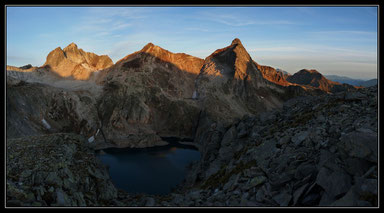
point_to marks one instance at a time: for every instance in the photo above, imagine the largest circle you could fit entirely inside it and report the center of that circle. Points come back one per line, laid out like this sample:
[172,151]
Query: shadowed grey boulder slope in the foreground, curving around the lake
[316,150]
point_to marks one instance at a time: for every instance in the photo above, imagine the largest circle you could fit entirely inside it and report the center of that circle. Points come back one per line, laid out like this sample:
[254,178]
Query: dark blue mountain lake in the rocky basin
[154,170]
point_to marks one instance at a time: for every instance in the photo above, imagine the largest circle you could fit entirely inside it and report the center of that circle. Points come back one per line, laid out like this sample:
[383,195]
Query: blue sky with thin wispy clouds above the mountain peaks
[333,40]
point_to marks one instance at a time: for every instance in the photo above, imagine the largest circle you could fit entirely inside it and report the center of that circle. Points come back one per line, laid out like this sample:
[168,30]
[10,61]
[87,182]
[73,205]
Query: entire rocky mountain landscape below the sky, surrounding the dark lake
[266,137]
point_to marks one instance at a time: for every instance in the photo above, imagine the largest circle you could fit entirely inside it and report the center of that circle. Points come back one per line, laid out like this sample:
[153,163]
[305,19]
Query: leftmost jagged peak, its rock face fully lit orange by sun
[76,63]
